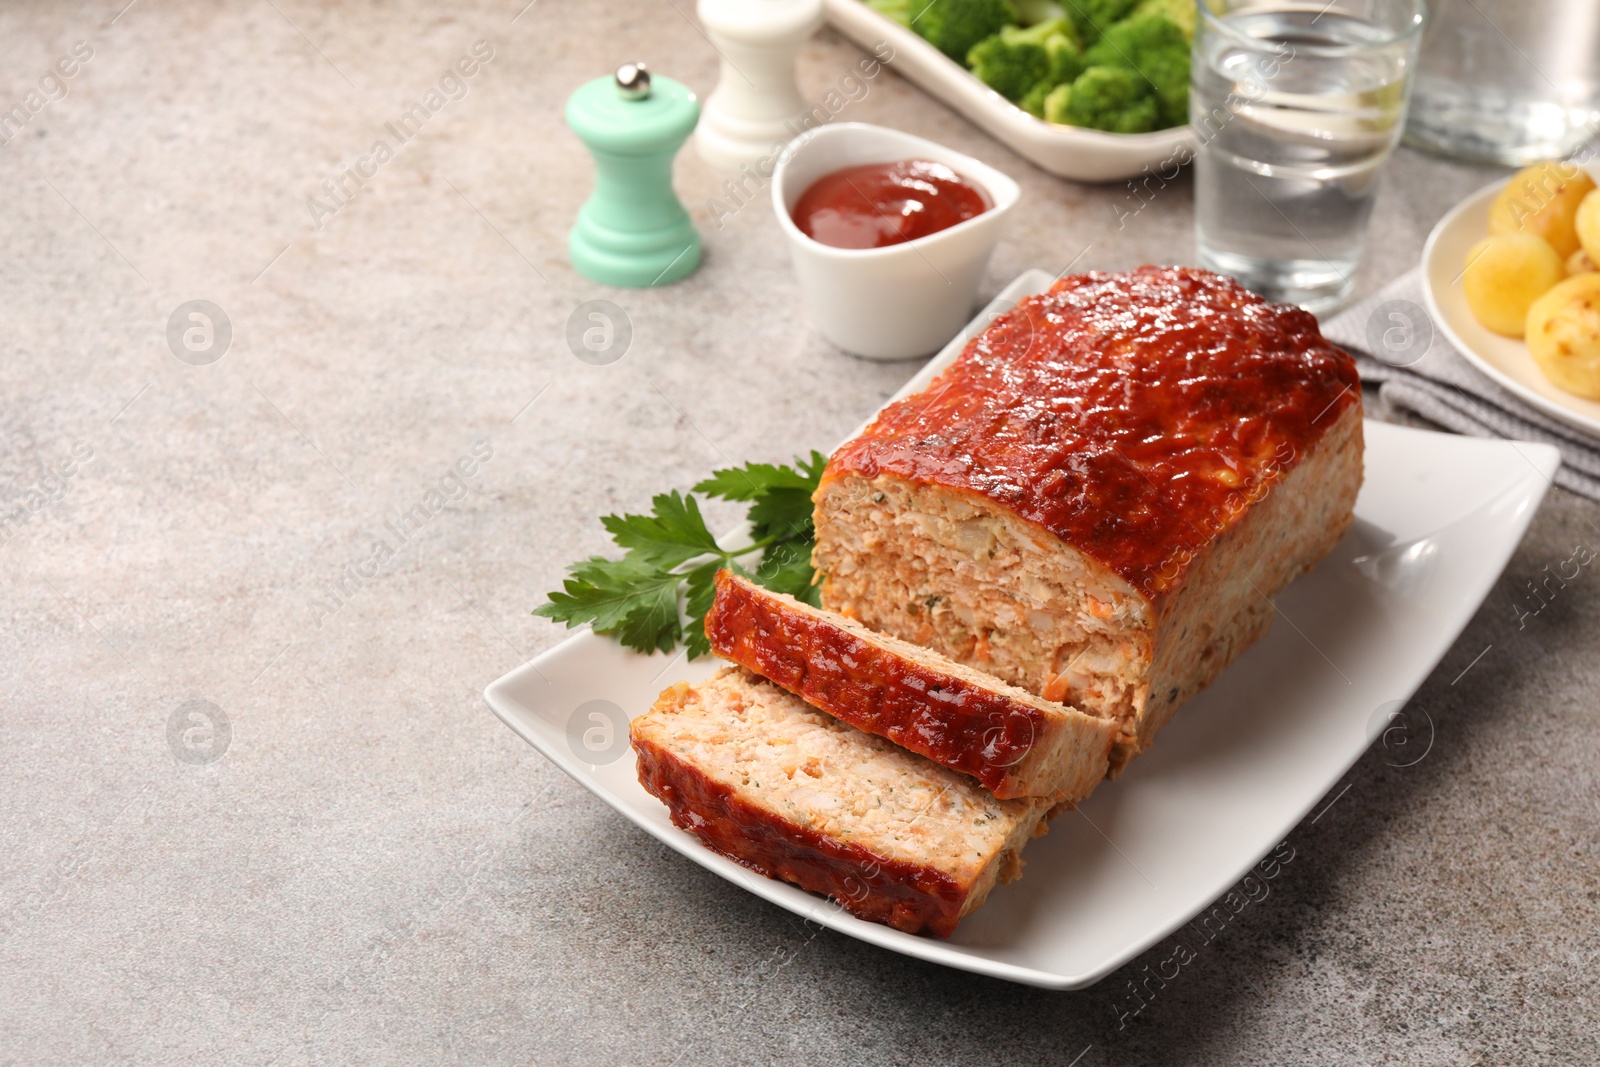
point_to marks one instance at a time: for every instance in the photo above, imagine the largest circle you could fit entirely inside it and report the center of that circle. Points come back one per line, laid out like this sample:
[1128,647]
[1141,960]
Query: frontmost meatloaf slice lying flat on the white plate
[775,785]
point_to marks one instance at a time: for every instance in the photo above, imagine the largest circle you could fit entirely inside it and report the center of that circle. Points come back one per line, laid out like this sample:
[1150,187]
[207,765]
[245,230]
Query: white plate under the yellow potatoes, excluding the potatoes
[1503,359]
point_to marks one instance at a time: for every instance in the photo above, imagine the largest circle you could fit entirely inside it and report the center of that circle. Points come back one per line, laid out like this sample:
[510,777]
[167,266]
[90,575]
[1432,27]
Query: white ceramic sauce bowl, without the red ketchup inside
[902,302]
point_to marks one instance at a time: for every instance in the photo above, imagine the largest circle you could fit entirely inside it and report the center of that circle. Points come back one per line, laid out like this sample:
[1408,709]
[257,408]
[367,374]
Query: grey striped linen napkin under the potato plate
[1426,377]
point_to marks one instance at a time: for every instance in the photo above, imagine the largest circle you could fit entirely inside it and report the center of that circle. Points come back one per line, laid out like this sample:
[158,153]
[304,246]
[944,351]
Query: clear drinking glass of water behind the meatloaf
[1295,108]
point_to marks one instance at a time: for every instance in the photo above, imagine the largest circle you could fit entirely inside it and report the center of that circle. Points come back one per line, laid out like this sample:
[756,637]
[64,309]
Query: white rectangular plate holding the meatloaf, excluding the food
[1226,781]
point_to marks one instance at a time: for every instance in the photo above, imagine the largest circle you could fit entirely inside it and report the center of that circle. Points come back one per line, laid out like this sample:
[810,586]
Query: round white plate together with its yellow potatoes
[1514,311]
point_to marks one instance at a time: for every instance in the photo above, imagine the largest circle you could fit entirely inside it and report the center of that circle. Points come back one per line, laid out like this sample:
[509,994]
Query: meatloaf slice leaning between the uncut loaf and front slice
[1012,741]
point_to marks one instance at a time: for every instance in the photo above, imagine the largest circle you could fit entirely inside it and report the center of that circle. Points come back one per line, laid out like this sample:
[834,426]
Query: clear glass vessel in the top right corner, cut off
[1508,81]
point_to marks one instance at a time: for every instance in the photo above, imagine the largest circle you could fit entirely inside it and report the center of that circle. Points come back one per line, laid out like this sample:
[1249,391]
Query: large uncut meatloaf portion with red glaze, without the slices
[1100,497]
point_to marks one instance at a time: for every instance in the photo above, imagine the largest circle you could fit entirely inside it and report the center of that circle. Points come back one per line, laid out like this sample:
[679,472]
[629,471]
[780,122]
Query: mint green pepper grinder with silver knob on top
[633,231]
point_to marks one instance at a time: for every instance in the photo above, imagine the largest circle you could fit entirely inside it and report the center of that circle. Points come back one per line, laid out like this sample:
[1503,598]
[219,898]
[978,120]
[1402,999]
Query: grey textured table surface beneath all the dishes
[378,871]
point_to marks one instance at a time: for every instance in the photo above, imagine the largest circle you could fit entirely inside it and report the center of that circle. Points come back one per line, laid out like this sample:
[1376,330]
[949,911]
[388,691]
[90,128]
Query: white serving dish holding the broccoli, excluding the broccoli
[1063,151]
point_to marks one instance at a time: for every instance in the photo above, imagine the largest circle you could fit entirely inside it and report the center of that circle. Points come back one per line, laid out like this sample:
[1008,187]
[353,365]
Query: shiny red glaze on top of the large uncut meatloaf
[1132,415]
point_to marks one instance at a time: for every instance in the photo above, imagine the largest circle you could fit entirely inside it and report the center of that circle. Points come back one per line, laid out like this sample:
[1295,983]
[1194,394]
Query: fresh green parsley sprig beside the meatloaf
[660,591]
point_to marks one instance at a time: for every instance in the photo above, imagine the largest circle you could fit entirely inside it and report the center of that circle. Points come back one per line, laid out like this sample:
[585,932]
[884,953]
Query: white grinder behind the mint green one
[756,108]
